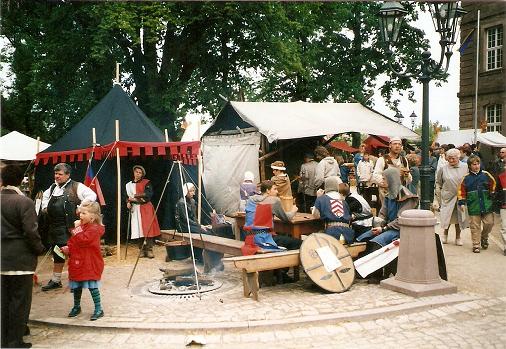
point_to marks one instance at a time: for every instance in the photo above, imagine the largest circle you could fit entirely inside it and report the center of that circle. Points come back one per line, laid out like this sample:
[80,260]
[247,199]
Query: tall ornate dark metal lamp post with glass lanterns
[446,17]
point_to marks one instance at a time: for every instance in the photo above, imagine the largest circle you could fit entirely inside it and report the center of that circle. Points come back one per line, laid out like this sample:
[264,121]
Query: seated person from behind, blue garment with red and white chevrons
[333,211]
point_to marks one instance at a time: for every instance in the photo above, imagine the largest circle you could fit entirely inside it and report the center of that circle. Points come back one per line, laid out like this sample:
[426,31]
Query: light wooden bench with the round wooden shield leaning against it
[252,265]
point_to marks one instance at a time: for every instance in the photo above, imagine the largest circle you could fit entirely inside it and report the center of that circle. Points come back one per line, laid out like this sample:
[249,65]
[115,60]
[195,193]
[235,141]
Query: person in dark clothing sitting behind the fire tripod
[212,260]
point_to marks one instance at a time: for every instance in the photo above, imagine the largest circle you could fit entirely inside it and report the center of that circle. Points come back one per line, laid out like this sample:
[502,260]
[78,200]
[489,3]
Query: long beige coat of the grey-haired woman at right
[448,179]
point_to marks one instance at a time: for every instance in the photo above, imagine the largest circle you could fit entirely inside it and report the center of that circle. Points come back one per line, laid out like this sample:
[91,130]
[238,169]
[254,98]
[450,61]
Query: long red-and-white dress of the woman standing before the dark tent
[143,219]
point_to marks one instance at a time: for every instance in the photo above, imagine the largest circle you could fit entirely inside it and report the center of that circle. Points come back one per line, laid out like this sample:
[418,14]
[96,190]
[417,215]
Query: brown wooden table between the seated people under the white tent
[301,224]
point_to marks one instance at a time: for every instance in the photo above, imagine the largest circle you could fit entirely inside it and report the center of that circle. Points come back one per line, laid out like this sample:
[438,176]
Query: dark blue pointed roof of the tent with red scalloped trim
[116,105]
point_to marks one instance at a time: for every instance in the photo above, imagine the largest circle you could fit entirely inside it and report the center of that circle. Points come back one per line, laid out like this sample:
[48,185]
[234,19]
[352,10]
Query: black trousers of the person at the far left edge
[16,304]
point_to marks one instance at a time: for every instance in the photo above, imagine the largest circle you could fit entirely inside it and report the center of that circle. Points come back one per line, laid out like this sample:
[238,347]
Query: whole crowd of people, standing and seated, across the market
[464,193]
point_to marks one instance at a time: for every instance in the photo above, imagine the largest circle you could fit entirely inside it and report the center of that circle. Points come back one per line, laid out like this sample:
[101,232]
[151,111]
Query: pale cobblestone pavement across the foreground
[287,316]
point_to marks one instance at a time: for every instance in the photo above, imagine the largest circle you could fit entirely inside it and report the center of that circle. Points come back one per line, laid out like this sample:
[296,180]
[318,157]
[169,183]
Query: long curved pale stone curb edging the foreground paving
[359,315]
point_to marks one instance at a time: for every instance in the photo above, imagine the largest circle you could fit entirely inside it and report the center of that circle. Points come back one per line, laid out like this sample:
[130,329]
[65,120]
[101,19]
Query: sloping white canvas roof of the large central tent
[278,120]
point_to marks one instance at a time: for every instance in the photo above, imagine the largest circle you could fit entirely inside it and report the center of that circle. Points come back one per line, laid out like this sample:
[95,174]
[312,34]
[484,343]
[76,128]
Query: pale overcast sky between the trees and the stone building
[443,102]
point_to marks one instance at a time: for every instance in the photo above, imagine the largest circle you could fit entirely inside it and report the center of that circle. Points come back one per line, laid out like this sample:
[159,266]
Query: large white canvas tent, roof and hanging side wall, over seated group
[231,145]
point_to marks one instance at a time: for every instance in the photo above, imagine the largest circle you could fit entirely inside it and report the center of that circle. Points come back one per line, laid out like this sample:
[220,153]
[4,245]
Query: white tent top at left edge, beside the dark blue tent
[16,146]
